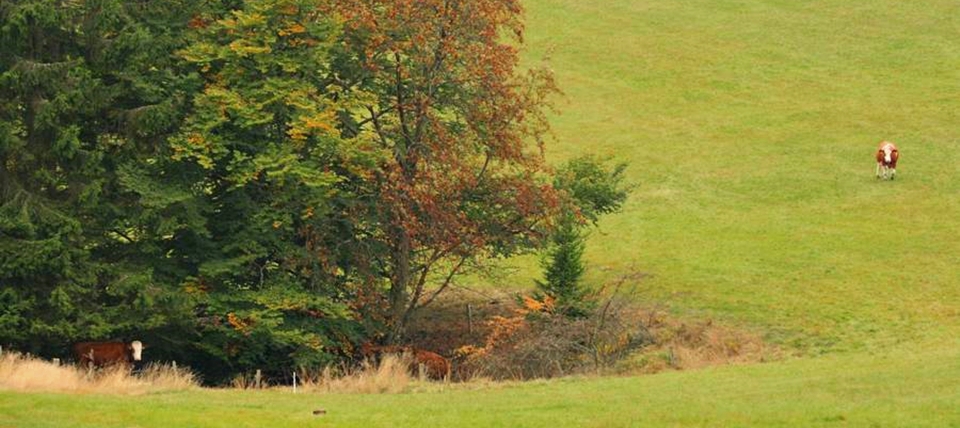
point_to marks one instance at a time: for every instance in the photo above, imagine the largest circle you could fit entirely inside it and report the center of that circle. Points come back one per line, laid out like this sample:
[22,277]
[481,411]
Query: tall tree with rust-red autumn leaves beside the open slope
[436,87]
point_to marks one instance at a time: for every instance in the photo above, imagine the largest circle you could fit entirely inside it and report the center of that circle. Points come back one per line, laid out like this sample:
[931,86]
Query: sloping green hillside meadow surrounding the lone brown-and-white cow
[750,126]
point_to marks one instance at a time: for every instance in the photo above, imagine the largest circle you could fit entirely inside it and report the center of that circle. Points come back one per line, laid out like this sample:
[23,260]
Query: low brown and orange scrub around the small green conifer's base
[617,335]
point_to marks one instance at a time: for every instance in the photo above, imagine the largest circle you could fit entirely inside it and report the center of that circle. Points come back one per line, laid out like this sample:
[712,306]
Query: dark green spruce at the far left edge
[86,92]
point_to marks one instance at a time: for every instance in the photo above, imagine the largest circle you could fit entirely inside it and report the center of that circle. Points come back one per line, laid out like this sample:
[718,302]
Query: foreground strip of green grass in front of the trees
[895,389]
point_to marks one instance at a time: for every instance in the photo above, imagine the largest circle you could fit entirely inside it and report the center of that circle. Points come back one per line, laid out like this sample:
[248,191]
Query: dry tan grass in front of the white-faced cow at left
[27,374]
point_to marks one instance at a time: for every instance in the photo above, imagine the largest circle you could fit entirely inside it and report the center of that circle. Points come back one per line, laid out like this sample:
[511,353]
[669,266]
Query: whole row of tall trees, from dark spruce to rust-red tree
[260,183]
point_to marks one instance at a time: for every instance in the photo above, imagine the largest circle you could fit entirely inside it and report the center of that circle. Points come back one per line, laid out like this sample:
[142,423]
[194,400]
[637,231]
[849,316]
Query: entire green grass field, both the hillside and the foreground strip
[750,127]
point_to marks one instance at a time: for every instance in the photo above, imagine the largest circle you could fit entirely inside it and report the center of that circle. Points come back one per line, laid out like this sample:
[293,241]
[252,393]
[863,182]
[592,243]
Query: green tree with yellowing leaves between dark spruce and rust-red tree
[261,151]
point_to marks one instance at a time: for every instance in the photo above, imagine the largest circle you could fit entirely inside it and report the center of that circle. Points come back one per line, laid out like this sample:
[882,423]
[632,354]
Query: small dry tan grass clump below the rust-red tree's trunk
[390,376]
